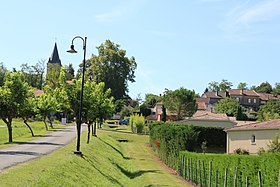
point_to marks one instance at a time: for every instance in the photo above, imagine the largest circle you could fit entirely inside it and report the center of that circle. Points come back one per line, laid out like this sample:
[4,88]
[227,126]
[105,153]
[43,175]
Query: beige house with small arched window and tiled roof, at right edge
[252,137]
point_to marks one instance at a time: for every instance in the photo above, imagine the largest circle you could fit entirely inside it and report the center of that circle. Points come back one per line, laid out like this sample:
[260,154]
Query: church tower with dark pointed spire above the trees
[53,68]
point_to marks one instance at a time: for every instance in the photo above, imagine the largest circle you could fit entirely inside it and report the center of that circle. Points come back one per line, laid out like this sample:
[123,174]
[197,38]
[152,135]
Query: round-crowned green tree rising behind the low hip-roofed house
[180,101]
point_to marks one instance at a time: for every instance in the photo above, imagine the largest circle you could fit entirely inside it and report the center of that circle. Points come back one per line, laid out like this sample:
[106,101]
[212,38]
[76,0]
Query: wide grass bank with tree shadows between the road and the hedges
[106,162]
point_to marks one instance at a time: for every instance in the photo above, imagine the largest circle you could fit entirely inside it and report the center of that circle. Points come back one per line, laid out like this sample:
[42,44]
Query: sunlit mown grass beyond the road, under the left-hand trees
[21,133]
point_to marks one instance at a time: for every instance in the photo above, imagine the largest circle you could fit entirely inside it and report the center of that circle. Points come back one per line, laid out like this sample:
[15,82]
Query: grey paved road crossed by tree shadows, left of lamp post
[42,146]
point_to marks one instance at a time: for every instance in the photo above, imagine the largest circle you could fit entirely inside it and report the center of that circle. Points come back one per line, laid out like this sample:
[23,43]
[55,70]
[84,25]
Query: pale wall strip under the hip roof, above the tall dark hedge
[209,123]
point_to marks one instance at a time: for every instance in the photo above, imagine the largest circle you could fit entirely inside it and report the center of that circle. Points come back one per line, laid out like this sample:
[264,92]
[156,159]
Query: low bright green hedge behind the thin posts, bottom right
[240,165]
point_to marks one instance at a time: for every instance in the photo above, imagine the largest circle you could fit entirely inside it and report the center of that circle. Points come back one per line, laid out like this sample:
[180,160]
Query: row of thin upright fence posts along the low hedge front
[202,174]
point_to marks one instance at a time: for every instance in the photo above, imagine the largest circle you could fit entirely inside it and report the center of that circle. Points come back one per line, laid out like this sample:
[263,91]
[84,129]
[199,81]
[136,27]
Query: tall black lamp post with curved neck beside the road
[79,124]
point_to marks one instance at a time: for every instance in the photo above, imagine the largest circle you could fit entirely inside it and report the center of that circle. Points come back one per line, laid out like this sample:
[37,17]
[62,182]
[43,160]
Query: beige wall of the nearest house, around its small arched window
[243,140]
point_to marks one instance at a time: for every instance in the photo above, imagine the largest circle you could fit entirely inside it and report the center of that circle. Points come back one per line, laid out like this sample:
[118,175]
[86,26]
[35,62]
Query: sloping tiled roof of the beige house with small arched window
[271,124]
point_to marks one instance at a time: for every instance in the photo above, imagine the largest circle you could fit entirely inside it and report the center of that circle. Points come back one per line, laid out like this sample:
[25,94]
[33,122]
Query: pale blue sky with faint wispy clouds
[175,43]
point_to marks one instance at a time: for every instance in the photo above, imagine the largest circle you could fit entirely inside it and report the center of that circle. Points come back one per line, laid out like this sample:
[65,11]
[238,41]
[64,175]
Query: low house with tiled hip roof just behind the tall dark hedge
[209,119]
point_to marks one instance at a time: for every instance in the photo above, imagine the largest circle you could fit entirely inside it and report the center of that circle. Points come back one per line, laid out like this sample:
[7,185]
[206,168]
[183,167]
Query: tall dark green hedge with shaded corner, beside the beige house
[168,139]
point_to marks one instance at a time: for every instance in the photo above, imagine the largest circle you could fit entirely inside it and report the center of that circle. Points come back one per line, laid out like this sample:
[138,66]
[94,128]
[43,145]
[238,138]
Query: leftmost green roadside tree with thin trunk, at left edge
[13,95]
